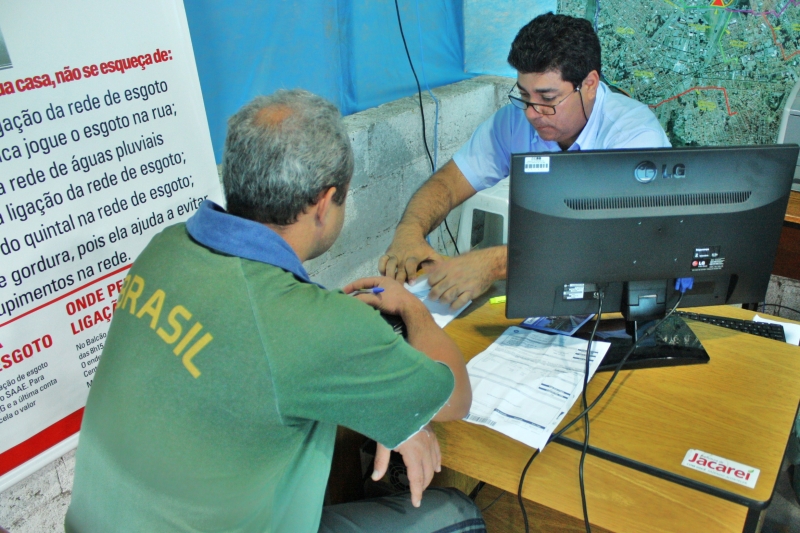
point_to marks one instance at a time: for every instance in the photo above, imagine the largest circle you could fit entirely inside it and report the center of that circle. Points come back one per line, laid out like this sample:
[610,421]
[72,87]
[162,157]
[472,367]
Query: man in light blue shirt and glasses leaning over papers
[558,103]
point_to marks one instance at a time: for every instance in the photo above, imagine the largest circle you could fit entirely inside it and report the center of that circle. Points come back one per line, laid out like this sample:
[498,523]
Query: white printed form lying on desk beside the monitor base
[526,381]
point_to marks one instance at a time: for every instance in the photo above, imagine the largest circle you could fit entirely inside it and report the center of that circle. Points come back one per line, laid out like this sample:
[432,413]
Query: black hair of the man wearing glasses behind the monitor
[557,42]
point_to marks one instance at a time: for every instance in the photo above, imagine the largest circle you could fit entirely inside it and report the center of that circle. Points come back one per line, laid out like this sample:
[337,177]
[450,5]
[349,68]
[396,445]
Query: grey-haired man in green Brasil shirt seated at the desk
[226,370]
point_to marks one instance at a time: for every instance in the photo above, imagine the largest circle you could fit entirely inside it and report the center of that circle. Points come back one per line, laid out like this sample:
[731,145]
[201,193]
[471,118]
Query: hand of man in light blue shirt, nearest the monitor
[467,276]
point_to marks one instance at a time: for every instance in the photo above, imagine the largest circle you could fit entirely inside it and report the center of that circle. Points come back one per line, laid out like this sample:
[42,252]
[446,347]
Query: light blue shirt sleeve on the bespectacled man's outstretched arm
[484,159]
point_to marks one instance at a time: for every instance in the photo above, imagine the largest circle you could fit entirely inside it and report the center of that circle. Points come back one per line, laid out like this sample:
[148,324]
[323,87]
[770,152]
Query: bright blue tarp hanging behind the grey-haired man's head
[348,51]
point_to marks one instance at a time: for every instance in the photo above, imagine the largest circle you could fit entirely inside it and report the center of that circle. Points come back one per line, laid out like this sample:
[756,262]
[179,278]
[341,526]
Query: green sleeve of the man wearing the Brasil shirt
[351,369]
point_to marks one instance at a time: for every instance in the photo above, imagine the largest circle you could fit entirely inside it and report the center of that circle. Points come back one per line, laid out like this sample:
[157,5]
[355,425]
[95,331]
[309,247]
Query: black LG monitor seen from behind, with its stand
[626,224]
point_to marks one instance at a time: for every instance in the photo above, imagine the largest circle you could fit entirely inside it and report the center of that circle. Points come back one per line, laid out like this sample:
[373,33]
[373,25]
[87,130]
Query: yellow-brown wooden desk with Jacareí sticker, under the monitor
[741,406]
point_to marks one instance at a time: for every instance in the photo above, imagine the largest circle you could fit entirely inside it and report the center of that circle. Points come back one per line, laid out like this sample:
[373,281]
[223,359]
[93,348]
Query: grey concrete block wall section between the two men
[391,164]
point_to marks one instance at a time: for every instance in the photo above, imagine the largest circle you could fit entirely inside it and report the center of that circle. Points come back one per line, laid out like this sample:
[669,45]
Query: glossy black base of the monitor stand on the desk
[673,343]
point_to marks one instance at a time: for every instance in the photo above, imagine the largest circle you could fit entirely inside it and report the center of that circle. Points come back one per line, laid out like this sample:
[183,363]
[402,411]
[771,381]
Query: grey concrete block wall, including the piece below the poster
[390,165]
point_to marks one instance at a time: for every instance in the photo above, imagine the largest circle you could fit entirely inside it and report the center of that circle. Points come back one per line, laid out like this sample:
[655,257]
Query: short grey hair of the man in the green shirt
[274,170]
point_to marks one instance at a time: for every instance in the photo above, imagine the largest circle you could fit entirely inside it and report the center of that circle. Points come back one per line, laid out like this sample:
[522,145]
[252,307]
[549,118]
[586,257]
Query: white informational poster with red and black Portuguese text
[103,143]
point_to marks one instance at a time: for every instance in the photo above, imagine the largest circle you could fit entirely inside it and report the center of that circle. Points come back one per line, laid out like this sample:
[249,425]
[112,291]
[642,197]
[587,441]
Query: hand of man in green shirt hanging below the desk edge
[422,458]
